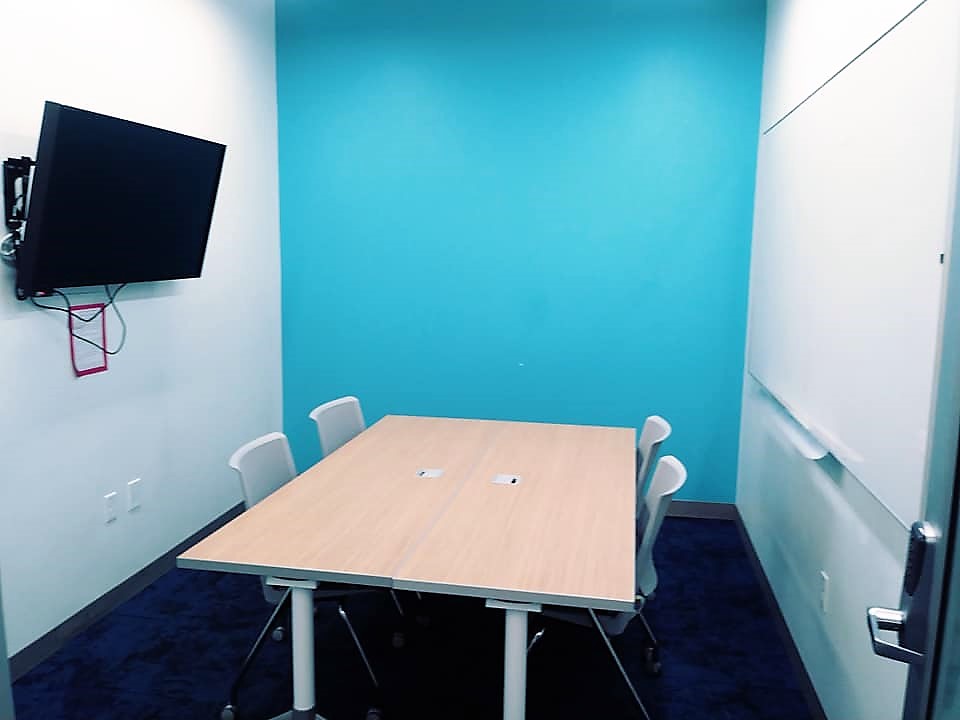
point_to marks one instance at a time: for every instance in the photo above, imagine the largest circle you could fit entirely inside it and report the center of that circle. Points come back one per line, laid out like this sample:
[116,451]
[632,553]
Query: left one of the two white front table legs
[301,637]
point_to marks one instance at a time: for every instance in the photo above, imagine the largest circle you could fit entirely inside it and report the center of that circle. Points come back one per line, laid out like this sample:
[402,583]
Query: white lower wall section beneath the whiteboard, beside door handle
[805,517]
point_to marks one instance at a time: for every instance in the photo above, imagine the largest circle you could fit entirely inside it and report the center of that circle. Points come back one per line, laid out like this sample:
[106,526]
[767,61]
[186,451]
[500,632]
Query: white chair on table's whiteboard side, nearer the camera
[668,478]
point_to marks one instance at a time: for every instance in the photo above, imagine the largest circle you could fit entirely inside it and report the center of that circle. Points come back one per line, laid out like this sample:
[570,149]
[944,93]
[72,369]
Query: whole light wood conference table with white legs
[519,514]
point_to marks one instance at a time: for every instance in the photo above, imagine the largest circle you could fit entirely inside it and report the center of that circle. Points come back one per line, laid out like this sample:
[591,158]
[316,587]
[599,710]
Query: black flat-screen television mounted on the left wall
[114,201]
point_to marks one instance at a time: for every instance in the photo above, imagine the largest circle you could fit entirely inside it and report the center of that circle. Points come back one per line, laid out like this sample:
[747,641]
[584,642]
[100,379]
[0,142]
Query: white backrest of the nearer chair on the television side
[264,465]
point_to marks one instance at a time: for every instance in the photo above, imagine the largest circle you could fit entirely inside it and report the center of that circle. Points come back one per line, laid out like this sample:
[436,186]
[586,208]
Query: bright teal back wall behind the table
[521,210]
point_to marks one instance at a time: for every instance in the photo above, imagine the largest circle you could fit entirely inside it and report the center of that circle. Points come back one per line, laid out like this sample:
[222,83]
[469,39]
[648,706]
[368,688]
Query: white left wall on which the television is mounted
[200,373]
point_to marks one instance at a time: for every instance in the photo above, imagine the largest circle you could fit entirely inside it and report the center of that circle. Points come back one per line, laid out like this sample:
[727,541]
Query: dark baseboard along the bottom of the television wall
[42,648]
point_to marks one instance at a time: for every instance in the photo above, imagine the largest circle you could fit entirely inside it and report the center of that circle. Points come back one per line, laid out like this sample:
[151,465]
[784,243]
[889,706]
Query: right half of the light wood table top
[564,534]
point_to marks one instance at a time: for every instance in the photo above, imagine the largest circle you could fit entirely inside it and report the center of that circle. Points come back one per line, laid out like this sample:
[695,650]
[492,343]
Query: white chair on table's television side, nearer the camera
[264,466]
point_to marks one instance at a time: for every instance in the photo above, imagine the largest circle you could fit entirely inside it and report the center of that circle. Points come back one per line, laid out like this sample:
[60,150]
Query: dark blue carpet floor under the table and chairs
[170,653]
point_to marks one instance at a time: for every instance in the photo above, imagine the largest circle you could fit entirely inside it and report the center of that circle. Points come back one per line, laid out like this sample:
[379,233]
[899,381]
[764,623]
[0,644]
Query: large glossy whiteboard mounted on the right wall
[853,210]
